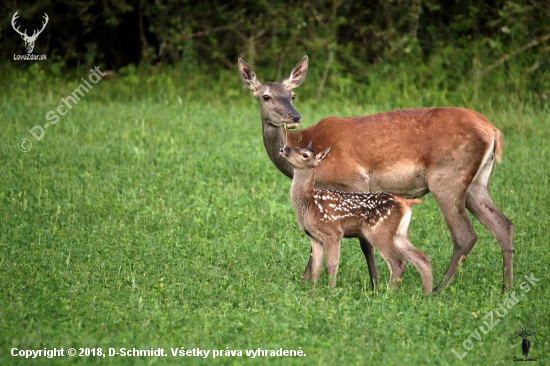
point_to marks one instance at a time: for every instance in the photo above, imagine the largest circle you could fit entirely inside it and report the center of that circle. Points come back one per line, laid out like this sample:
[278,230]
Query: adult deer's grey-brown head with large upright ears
[276,98]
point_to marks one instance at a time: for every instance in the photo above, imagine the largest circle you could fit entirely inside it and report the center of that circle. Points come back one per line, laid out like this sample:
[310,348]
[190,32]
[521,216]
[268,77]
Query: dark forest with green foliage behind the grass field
[444,41]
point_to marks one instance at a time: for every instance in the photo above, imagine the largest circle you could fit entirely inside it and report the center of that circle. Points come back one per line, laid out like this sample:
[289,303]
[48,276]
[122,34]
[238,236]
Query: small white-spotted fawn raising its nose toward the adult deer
[327,216]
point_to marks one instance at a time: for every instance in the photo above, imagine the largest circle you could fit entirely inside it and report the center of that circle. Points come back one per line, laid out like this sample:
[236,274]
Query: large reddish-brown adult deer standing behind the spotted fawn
[447,151]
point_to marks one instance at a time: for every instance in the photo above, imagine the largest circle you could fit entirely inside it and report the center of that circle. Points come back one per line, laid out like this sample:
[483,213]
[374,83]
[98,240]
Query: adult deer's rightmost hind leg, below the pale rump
[479,203]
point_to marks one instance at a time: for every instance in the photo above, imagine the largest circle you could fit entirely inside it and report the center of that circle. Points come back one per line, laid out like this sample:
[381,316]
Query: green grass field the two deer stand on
[147,220]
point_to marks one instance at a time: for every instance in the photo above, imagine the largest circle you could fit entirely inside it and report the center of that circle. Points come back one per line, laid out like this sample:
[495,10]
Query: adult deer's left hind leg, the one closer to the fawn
[450,194]
